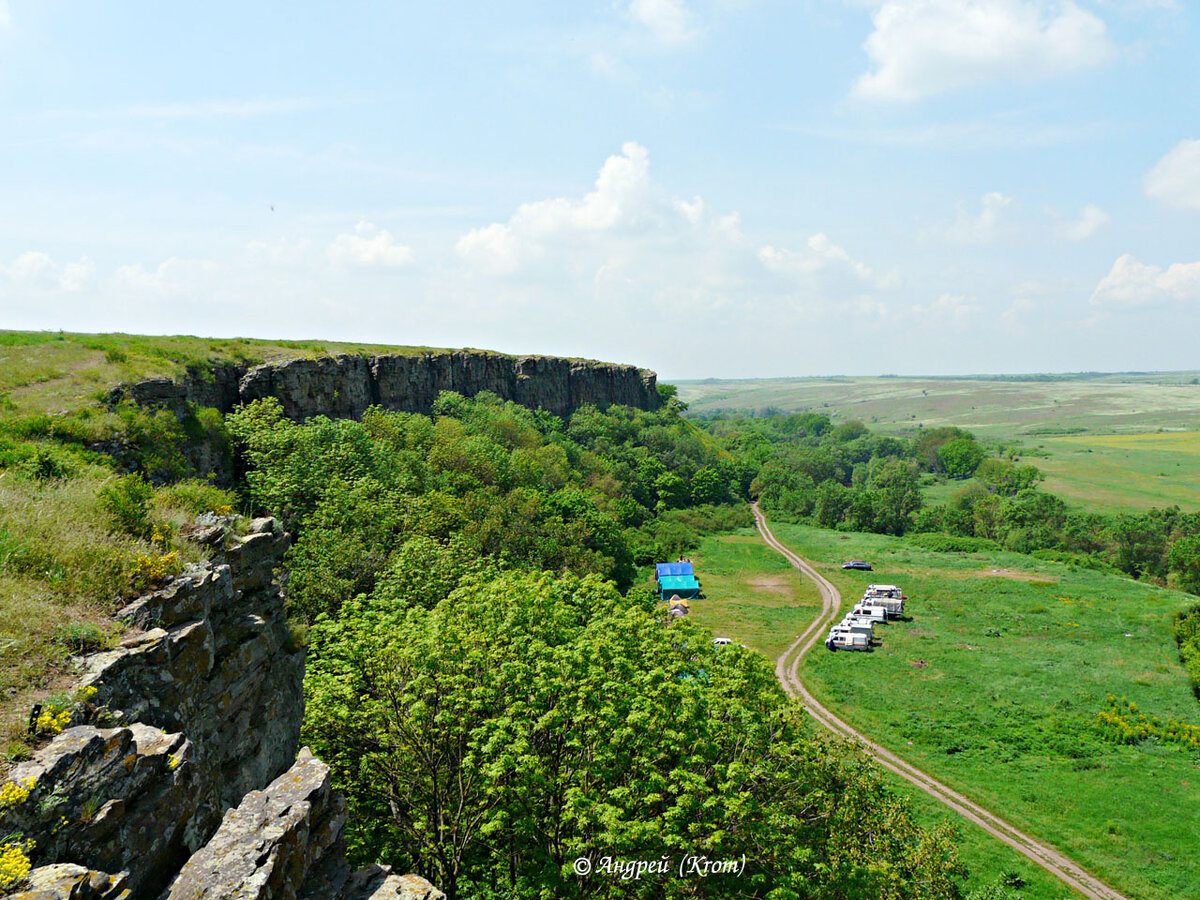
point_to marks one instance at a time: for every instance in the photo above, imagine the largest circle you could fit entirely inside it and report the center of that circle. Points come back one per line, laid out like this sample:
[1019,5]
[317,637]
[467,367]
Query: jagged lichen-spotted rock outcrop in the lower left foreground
[179,773]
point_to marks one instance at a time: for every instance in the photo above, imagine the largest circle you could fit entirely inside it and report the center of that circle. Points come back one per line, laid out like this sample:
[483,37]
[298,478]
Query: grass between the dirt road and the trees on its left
[755,597]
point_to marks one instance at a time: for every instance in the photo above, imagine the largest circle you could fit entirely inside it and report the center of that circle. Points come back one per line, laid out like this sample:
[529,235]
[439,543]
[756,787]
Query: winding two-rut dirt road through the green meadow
[788,671]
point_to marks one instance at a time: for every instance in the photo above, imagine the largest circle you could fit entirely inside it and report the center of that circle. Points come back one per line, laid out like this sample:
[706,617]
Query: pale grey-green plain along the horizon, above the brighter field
[993,409]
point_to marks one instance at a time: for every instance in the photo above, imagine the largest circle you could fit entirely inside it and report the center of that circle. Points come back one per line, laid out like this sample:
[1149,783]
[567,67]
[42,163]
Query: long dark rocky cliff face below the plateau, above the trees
[346,387]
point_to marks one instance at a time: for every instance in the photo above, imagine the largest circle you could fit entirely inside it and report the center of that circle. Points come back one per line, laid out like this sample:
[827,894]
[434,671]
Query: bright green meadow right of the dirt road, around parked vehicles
[1007,718]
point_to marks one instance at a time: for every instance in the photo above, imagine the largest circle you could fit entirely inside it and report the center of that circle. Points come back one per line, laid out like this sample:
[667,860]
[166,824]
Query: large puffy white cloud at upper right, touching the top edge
[926,47]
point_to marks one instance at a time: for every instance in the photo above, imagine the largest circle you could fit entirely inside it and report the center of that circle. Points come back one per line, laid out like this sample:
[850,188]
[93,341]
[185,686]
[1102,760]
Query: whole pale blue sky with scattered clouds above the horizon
[706,188]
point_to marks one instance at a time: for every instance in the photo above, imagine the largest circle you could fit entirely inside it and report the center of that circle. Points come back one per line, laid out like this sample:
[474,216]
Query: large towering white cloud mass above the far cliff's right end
[628,245]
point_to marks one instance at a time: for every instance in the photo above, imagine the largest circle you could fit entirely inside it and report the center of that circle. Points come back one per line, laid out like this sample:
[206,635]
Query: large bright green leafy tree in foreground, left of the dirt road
[575,725]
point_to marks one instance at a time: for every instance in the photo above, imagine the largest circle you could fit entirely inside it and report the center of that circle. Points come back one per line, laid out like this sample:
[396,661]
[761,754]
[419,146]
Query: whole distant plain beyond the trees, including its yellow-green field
[1103,442]
